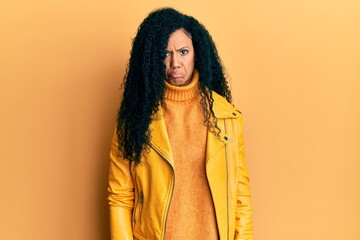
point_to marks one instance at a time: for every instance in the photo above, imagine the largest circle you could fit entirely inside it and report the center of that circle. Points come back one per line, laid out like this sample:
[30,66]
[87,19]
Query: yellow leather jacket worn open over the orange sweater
[140,196]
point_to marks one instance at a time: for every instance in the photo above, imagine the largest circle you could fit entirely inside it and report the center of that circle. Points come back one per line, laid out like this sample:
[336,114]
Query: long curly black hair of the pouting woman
[144,80]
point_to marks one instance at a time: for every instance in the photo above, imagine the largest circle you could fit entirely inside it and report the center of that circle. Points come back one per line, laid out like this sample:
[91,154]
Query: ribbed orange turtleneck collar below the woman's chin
[183,94]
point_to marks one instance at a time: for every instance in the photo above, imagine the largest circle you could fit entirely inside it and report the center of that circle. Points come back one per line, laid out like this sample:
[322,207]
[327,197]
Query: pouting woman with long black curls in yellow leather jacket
[177,168]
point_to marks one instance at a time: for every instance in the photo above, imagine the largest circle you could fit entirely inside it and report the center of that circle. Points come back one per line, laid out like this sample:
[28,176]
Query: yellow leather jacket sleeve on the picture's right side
[243,225]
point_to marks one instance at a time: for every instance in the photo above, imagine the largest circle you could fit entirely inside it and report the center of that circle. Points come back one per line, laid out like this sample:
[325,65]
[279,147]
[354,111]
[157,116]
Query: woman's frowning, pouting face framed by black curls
[180,59]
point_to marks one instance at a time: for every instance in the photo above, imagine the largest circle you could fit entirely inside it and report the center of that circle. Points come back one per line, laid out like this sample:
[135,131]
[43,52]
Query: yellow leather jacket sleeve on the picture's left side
[120,195]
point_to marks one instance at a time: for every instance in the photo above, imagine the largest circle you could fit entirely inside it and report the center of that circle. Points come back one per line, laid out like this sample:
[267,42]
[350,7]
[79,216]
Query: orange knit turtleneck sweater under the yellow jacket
[191,214]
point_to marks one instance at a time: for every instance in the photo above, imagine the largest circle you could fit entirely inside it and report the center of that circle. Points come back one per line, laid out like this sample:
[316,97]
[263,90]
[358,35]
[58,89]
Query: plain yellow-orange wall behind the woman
[294,72]
